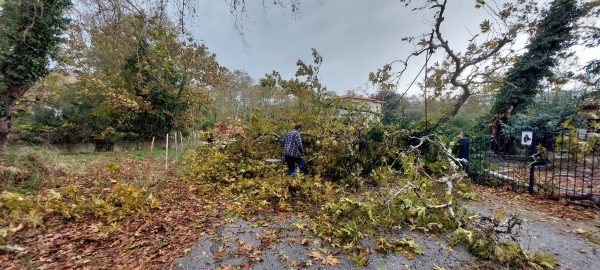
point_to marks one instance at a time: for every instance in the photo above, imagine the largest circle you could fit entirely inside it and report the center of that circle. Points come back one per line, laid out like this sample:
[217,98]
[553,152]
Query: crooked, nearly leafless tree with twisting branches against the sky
[460,73]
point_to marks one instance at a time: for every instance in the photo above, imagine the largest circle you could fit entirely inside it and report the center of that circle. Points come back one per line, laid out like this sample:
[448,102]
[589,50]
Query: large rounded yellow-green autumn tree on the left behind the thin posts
[143,73]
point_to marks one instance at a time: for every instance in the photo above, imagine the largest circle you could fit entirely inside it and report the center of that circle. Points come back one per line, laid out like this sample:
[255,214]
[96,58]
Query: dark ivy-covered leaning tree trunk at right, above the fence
[553,34]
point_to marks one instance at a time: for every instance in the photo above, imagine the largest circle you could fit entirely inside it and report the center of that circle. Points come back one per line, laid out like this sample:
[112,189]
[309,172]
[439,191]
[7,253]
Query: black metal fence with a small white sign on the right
[557,164]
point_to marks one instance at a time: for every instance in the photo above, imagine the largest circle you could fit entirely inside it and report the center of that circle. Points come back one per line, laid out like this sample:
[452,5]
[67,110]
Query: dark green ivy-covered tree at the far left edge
[29,34]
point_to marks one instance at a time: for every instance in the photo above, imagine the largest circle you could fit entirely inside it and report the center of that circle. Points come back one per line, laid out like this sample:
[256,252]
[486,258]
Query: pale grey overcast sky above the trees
[355,37]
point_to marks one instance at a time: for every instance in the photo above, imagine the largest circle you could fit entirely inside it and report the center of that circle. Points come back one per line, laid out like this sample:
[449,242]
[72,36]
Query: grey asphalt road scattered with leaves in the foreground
[280,244]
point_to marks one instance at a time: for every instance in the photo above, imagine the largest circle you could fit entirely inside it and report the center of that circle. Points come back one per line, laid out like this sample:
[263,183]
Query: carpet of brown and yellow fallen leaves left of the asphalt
[102,217]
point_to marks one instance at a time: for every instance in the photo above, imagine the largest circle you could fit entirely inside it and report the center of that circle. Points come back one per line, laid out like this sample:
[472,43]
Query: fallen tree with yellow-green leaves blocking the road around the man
[363,182]
